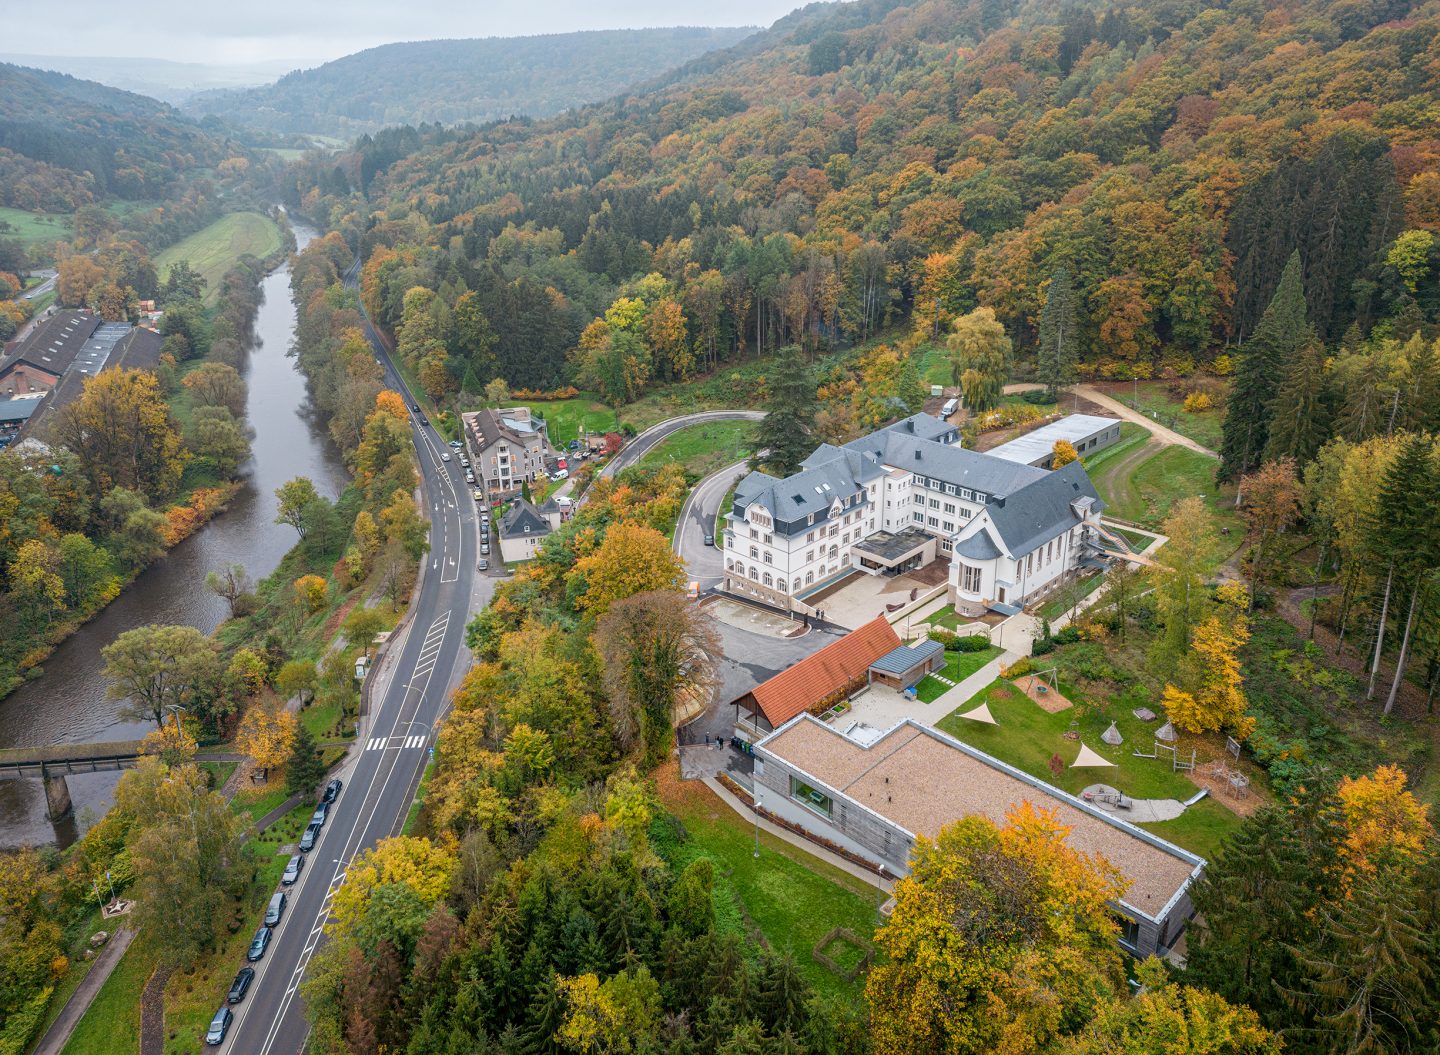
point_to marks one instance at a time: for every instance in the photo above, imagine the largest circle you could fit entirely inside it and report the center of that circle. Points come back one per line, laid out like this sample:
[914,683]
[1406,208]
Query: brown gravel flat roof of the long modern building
[922,781]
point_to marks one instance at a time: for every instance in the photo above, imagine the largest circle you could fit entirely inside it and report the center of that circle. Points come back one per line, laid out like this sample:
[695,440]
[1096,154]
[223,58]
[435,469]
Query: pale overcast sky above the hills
[309,32]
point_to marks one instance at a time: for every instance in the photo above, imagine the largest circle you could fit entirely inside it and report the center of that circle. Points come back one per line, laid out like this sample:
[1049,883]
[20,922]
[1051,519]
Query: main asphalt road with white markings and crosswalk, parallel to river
[410,696]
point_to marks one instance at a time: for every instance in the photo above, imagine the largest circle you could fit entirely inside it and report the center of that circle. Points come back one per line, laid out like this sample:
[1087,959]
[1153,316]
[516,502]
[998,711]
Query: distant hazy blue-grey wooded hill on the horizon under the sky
[456,81]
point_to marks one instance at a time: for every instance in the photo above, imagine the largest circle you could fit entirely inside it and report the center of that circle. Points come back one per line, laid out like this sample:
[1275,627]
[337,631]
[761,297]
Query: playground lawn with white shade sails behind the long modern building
[1027,738]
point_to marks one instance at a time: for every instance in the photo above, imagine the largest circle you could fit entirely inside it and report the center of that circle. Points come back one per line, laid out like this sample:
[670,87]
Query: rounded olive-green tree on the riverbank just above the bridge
[156,667]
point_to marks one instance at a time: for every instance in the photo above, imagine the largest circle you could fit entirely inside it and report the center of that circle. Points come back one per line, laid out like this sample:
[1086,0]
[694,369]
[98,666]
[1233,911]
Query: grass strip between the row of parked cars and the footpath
[194,995]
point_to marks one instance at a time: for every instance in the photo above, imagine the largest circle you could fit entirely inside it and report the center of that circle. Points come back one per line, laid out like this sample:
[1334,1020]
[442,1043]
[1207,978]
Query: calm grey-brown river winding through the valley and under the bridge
[67,705]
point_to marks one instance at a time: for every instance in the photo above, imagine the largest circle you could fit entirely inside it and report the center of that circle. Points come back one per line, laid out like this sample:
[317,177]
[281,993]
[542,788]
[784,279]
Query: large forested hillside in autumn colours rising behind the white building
[883,162]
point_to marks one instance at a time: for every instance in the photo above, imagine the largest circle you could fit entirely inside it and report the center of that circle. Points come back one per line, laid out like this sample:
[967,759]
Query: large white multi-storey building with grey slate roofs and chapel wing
[898,500]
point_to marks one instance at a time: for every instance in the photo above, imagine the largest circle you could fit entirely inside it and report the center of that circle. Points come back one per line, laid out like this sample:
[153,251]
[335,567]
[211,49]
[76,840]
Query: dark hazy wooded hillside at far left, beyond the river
[66,143]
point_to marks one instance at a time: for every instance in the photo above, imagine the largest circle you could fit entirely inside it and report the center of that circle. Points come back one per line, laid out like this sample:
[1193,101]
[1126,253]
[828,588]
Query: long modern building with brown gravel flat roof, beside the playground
[876,798]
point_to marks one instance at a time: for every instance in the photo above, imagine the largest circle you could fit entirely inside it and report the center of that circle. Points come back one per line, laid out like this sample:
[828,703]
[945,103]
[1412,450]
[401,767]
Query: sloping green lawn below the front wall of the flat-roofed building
[788,896]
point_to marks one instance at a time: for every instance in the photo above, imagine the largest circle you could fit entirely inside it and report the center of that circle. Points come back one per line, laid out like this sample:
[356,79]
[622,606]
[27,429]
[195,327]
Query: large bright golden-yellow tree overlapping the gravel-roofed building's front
[1000,938]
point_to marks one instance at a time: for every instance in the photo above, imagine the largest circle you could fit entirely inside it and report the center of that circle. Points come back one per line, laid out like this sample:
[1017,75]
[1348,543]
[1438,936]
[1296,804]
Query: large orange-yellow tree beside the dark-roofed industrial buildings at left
[123,434]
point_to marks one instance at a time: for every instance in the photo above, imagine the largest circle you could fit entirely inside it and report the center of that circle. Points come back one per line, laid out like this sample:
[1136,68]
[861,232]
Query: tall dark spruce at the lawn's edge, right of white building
[1265,363]
